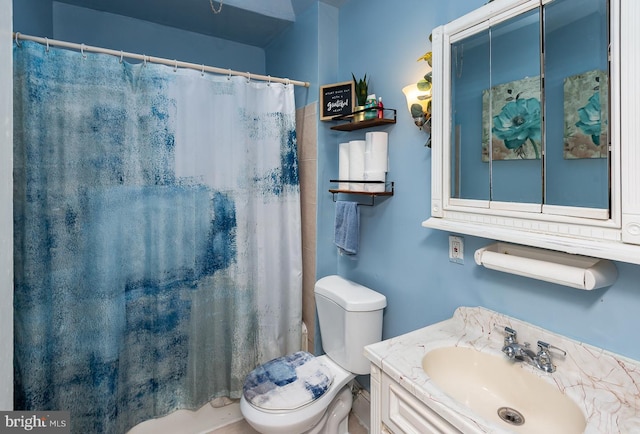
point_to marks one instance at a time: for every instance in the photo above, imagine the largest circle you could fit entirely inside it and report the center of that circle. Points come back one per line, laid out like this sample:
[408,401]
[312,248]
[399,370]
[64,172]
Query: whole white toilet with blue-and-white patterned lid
[300,393]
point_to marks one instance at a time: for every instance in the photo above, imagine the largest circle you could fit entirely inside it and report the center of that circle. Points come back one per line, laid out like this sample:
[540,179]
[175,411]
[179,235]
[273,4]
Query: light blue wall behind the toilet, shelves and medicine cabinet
[408,263]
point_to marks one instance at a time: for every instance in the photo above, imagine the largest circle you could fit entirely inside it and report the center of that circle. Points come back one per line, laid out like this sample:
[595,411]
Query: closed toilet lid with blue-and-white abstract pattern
[287,382]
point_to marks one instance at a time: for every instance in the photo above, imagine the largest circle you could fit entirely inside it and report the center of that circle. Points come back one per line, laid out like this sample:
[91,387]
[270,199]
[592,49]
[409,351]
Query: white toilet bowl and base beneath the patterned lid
[304,419]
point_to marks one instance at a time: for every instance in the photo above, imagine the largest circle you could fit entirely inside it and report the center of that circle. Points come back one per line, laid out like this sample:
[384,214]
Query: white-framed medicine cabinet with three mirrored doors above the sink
[536,124]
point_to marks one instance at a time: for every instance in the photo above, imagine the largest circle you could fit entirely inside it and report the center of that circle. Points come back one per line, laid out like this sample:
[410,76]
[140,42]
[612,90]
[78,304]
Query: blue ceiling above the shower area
[251,22]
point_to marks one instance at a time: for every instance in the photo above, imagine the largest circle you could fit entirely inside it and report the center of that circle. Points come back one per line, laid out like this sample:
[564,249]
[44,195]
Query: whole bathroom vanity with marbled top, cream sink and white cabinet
[574,399]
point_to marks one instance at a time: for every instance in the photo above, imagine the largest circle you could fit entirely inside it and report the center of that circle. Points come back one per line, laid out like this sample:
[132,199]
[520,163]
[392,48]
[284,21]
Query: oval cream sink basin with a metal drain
[489,385]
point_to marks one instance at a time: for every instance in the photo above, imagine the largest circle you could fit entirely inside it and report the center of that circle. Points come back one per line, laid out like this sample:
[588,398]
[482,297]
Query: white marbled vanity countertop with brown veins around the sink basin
[605,386]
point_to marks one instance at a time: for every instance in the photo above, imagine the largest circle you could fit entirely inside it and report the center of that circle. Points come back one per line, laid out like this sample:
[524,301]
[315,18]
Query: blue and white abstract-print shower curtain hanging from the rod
[157,235]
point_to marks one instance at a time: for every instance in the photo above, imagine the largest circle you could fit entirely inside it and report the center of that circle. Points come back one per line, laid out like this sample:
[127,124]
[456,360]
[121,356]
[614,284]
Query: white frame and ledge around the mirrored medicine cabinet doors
[567,229]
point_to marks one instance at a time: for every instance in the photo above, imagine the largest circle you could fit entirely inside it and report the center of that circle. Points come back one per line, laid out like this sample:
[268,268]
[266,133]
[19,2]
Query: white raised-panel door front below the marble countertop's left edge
[403,413]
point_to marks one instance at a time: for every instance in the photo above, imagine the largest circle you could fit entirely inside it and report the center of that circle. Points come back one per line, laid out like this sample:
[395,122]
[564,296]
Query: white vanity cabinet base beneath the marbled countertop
[396,411]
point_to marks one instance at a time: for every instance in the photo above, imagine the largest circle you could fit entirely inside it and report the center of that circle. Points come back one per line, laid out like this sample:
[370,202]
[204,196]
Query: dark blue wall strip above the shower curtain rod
[80,25]
